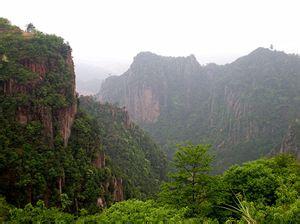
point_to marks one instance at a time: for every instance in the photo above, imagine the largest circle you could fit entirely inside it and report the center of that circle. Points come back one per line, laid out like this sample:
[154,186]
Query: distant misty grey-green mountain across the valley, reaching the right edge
[244,109]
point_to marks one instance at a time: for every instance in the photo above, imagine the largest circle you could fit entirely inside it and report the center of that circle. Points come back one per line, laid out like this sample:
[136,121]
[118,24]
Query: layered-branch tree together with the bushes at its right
[262,191]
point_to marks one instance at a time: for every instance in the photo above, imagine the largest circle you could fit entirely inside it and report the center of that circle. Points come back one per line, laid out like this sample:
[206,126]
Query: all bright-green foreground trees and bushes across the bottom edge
[262,191]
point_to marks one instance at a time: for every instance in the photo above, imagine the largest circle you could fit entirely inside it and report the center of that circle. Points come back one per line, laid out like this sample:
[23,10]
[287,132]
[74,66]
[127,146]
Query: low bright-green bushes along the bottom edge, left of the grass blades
[131,211]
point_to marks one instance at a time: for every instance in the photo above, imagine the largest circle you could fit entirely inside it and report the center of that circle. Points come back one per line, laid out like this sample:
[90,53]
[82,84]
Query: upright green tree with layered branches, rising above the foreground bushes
[189,182]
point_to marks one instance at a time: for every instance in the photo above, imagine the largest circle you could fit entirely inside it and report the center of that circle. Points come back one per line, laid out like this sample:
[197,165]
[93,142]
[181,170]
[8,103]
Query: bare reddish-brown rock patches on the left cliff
[45,114]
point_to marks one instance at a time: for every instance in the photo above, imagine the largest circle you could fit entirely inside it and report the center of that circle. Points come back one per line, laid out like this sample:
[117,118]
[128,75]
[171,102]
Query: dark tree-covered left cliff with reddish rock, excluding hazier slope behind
[38,108]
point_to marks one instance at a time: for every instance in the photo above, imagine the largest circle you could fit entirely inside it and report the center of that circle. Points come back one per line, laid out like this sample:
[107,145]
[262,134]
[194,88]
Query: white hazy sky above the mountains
[116,30]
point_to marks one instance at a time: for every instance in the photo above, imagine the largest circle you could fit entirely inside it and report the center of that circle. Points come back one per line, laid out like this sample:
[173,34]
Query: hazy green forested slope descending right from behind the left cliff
[133,154]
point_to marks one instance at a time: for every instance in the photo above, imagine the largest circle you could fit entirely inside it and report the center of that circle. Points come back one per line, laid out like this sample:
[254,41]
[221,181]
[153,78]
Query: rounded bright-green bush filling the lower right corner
[270,187]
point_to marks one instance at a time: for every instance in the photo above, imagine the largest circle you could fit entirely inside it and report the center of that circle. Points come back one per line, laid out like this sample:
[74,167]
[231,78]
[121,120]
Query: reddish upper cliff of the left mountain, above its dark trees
[26,72]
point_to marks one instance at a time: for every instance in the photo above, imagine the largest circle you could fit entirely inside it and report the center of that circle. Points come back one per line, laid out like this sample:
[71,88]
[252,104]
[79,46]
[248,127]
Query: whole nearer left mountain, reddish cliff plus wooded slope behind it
[70,152]
